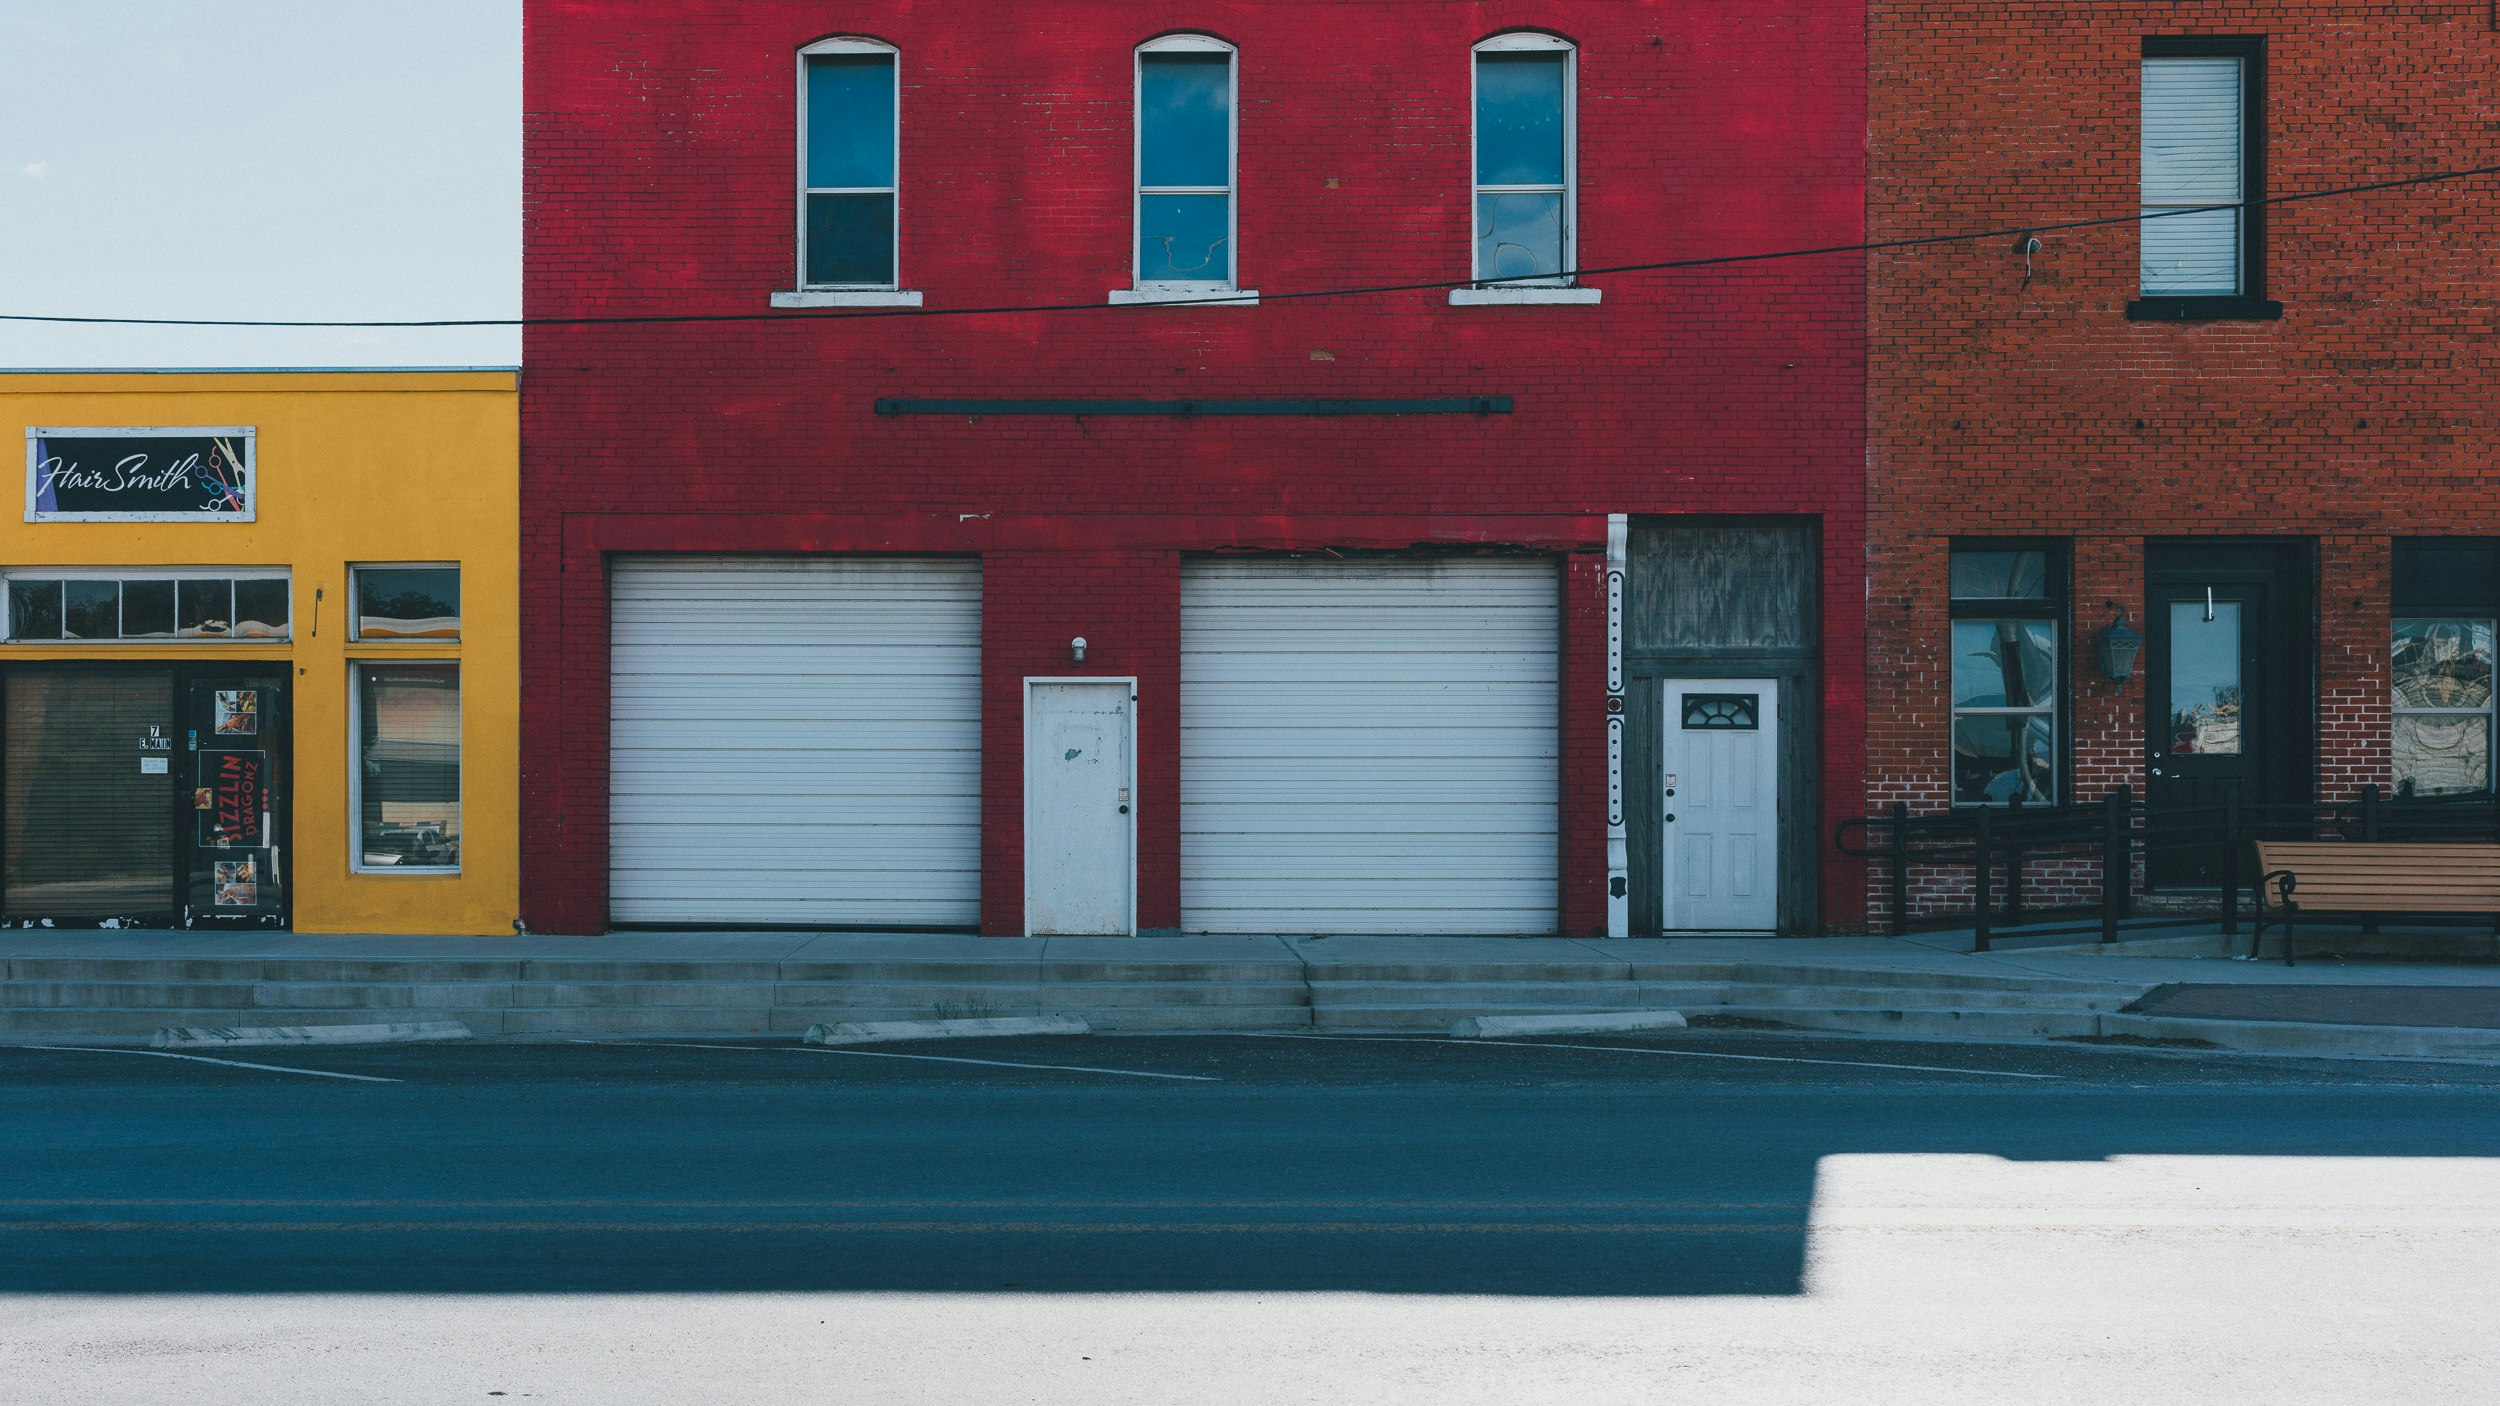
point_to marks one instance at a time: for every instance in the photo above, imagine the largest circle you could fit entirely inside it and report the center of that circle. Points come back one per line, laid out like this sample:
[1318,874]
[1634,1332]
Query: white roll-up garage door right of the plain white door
[1369,747]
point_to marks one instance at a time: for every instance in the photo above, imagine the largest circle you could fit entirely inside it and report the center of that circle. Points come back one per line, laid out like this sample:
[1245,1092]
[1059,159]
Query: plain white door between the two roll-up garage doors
[1081,824]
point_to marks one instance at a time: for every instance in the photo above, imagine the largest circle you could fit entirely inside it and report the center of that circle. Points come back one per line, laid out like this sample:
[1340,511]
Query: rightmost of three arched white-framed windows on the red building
[1524,159]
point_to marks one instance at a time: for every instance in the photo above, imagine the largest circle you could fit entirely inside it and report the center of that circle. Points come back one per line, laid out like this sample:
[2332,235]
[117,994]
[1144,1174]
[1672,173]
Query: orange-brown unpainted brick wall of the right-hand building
[2009,407]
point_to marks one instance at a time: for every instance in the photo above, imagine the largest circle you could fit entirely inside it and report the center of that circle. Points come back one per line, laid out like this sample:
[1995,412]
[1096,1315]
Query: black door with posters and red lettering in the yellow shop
[236,742]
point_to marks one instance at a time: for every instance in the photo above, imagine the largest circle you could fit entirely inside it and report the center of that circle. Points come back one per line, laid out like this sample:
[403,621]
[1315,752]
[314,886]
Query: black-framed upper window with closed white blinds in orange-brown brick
[2204,216]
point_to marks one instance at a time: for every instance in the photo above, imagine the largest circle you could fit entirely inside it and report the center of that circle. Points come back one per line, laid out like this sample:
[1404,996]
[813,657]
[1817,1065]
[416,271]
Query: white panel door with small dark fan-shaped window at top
[1721,804]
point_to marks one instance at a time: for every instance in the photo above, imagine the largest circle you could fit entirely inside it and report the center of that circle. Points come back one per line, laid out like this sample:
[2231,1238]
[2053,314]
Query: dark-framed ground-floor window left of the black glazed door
[2009,614]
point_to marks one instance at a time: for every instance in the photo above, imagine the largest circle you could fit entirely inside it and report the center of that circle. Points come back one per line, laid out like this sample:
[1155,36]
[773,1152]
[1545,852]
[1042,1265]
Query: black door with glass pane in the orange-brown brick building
[2226,697]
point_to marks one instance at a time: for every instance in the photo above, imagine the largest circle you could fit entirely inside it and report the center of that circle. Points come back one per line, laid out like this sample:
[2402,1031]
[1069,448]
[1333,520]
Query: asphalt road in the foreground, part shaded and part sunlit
[1246,1220]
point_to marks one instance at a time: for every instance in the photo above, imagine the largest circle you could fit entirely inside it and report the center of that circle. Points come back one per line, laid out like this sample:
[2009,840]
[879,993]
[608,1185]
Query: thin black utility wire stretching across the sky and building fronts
[1219,299]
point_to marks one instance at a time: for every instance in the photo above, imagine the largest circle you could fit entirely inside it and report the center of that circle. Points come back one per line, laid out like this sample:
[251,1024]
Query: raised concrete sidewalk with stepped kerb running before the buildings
[126,984]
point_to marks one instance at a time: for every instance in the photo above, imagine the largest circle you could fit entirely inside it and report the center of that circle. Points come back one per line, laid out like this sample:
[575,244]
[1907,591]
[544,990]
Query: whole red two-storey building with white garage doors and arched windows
[1404,612]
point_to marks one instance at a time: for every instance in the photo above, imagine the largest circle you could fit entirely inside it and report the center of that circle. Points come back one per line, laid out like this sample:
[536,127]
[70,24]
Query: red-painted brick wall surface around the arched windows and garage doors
[661,181]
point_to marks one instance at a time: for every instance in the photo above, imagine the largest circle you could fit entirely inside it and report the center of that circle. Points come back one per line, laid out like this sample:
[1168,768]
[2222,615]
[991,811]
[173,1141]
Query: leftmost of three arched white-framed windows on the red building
[849,154]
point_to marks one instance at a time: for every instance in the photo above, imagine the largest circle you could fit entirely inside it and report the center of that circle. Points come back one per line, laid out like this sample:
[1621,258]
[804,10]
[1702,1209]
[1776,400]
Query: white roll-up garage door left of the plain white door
[796,742]
